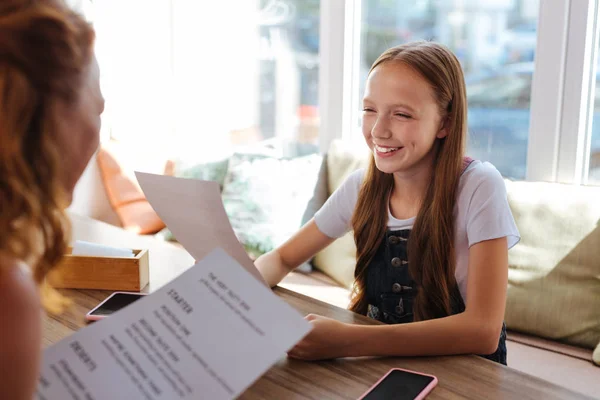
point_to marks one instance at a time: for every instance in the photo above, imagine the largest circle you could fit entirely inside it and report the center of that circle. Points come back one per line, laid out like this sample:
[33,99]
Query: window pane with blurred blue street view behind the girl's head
[495,42]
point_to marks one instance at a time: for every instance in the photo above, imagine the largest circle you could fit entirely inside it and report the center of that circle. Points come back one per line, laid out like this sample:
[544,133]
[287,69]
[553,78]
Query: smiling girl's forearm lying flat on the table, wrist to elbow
[456,334]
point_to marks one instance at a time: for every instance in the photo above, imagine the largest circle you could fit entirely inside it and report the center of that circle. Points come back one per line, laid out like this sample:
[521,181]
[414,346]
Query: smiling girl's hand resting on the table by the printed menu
[328,339]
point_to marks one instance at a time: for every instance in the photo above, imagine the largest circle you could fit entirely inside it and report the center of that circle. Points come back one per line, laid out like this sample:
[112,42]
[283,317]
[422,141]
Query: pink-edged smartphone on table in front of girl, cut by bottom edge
[401,384]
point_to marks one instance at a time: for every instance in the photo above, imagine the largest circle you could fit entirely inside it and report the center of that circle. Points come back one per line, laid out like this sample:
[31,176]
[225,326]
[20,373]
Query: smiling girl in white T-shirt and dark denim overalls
[432,228]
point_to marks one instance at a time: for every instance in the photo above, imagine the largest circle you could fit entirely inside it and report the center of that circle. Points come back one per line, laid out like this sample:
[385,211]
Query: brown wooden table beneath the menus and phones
[468,377]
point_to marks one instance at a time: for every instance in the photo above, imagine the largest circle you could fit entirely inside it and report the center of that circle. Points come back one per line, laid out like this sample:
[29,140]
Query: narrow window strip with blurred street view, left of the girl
[289,74]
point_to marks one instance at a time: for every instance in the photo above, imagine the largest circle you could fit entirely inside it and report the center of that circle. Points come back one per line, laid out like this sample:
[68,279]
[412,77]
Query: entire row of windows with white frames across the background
[193,79]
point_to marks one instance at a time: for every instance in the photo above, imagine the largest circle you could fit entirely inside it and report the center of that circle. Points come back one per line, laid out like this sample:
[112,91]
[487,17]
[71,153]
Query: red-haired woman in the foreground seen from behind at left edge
[50,106]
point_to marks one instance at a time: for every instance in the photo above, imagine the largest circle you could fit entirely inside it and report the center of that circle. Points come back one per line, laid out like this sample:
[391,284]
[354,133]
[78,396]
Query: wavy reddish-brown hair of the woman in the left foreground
[44,50]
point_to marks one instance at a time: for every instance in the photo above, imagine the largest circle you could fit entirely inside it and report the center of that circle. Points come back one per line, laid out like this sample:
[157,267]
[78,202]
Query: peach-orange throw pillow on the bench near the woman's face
[124,193]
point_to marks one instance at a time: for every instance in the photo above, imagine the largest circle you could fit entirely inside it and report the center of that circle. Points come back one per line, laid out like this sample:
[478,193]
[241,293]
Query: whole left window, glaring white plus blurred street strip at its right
[198,80]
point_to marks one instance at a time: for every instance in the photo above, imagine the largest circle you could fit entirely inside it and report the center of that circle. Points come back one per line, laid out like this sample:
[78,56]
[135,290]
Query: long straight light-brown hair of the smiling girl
[431,250]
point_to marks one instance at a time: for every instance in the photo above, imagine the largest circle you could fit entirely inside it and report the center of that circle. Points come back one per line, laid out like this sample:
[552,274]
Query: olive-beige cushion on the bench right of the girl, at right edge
[554,276]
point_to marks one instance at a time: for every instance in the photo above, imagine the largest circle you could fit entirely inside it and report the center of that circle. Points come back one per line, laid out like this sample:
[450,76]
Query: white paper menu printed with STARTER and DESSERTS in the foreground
[208,334]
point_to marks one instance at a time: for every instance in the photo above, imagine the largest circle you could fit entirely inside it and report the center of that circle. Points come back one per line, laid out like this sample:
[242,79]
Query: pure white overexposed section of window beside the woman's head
[178,76]
